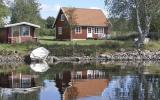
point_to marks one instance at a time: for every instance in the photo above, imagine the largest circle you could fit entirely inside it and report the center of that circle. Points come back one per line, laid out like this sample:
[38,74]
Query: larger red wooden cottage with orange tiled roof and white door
[88,23]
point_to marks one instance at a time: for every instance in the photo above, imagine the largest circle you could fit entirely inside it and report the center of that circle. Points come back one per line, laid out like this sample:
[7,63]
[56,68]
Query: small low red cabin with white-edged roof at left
[18,33]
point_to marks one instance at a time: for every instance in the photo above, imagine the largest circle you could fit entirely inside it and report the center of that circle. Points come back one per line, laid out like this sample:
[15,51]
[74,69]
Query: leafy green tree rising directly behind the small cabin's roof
[25,10]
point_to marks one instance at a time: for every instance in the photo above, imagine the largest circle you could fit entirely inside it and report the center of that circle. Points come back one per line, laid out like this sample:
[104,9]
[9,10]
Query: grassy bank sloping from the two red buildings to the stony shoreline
[75,48]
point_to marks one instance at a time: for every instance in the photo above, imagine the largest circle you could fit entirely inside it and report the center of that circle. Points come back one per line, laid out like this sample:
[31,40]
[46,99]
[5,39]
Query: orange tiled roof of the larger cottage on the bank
[87,17]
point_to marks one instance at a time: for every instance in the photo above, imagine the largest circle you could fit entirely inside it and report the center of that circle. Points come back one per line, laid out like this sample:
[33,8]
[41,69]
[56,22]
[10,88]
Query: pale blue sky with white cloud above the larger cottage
[51,7]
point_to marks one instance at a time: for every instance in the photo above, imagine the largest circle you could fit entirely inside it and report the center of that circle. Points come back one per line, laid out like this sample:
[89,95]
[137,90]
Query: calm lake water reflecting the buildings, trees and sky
[80,81]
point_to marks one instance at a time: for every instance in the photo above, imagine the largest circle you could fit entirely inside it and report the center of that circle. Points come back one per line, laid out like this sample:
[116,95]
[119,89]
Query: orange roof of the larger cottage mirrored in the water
[84,88]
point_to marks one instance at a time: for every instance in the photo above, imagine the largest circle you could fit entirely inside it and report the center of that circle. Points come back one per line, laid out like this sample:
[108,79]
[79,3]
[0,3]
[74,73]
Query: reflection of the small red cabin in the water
[15,85]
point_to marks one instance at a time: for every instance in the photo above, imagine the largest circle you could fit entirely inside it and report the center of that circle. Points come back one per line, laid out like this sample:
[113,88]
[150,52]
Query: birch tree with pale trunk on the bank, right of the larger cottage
[145,11]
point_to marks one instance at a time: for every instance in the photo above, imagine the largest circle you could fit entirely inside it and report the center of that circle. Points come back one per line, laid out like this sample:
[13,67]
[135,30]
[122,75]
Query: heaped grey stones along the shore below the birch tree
[132,55]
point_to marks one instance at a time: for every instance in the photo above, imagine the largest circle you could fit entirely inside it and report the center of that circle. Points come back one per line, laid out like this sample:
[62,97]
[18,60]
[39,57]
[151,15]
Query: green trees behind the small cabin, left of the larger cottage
[28,11]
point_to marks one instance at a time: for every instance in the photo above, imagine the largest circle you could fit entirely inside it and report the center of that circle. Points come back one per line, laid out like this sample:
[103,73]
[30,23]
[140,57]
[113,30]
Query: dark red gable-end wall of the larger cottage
[65,28]
